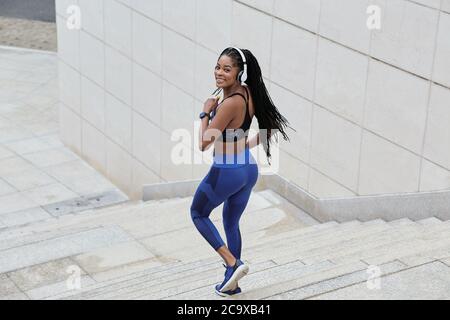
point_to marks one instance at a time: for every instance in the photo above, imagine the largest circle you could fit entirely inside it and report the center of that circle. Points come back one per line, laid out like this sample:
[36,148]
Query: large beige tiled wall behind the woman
[371,107]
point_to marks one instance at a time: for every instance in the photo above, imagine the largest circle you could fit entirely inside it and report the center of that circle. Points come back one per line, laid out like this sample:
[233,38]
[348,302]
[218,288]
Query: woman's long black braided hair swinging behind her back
[266,112]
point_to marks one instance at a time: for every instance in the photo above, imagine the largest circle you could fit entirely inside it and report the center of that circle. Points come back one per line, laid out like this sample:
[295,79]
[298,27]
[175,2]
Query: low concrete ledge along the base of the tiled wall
[414,206]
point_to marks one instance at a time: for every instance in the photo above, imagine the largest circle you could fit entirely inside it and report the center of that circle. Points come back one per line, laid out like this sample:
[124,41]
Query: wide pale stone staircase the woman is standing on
[151,250]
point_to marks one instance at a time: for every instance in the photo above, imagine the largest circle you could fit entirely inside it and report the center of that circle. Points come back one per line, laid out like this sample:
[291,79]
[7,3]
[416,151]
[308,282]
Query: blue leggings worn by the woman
[231,184]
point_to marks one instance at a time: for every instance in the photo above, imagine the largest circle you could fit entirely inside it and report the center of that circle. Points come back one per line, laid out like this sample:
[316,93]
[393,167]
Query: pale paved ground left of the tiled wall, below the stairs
[36,170]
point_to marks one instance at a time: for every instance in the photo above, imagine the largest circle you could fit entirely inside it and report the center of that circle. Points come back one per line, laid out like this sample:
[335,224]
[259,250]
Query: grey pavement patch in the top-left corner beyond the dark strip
[43,10]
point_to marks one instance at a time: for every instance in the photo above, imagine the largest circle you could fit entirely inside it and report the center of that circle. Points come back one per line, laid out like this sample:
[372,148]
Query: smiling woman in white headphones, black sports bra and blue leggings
[234,171]
